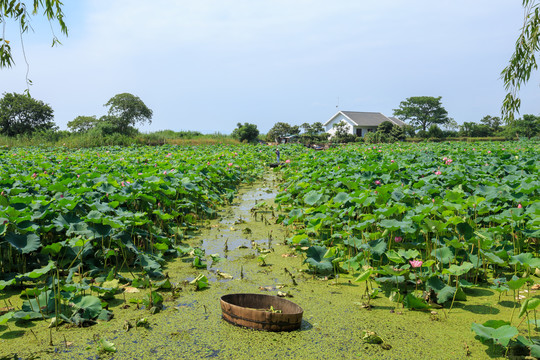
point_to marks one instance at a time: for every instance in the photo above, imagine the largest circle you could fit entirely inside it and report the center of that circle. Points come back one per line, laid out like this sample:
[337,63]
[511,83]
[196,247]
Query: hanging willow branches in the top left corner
[18,11]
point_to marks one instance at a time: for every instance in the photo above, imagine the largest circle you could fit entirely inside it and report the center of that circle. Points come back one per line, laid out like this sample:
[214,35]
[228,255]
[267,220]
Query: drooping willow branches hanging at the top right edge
[523,60]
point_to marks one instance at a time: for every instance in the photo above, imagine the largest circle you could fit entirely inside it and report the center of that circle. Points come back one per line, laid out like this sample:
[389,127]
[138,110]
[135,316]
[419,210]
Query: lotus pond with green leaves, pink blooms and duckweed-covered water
[394,251]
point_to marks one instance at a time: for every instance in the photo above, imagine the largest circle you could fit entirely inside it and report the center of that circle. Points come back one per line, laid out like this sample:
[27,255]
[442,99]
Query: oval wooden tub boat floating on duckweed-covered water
[261,312]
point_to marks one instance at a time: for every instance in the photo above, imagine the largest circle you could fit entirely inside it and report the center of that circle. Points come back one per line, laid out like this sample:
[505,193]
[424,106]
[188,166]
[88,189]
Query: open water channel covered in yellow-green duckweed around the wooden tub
[190,326]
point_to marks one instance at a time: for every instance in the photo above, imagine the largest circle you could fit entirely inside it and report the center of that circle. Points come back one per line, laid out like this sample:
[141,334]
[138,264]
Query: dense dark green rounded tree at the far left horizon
[21,114]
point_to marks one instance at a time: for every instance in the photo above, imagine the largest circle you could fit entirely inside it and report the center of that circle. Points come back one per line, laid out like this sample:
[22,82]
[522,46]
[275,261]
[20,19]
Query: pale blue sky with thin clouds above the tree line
[207,65]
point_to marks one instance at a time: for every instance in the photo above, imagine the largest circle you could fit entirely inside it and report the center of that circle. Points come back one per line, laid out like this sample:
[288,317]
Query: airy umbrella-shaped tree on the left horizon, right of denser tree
[126,110]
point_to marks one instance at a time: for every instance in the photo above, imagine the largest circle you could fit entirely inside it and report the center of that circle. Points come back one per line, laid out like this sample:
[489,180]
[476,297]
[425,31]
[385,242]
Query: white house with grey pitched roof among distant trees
[359,123]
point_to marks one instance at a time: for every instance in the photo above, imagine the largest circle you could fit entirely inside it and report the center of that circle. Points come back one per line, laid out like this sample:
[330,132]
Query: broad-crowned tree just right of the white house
[422,111]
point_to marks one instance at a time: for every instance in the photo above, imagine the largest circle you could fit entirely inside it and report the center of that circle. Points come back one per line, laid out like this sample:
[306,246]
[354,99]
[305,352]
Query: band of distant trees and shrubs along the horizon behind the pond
[25,121]
